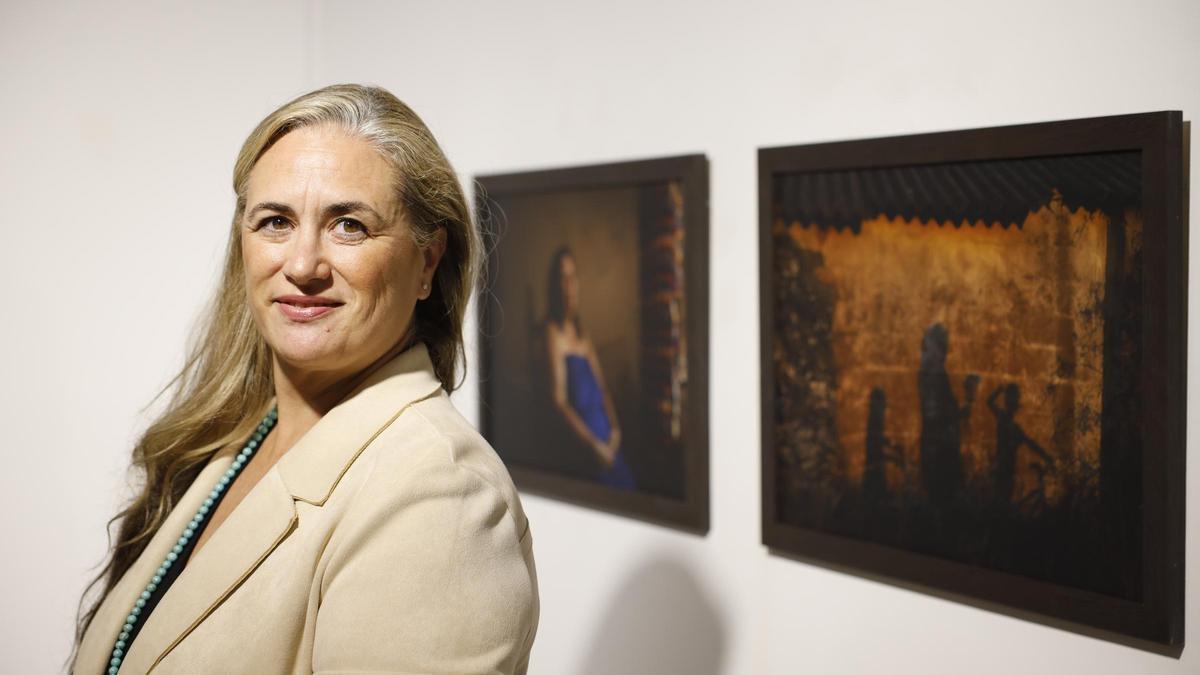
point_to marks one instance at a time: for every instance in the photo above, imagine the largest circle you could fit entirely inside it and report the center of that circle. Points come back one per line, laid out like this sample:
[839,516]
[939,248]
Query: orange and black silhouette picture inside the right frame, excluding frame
[957,353]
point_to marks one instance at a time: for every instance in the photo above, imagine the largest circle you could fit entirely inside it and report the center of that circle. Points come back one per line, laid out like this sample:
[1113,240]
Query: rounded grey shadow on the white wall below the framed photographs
[661,623]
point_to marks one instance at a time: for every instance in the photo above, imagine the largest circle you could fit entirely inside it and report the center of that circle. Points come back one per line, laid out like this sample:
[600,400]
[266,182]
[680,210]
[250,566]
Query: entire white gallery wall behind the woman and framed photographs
[119,128]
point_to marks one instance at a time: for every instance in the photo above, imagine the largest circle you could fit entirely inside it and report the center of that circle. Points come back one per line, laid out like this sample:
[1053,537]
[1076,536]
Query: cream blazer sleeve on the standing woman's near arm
[429,575]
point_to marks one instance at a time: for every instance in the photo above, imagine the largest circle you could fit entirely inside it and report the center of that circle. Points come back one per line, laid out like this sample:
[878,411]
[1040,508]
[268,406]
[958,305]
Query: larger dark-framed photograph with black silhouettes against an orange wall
[974,361]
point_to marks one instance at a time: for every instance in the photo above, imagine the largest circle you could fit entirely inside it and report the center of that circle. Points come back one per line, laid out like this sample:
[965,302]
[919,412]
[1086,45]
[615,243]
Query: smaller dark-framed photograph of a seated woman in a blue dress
[595,334]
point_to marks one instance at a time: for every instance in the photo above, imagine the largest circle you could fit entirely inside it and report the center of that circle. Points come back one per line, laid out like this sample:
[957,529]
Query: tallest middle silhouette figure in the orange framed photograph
[941,419]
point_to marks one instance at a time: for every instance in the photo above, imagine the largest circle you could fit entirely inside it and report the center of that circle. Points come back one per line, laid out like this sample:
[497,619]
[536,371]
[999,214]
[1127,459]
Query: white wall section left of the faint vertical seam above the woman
[119,127]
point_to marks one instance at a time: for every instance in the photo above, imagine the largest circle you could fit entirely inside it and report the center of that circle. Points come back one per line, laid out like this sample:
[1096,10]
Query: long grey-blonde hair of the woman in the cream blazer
[226,383]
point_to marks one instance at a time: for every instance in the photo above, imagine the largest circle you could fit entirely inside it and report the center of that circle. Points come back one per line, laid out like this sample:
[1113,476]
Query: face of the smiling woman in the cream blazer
[333,274]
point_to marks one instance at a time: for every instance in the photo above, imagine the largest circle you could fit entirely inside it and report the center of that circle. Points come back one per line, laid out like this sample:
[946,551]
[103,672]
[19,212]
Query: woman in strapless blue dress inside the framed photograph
[578,387]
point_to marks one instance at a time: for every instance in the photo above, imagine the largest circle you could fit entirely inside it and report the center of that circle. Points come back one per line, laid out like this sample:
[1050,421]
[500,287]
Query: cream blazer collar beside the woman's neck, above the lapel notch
[314,467]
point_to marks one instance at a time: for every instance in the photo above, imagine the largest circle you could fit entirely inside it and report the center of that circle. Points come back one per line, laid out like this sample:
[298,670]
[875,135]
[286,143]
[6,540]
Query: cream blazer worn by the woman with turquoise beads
[388,540]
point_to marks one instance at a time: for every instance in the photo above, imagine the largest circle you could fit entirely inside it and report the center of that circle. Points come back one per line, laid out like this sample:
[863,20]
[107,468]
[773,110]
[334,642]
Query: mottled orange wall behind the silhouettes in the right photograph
[1022,306]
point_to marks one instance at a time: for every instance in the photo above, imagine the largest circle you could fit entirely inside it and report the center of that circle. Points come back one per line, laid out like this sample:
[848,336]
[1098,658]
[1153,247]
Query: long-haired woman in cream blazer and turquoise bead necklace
[313,500]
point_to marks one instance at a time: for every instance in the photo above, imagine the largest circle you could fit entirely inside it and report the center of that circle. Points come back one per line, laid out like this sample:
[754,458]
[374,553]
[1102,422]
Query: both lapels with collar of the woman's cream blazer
[308,473]
